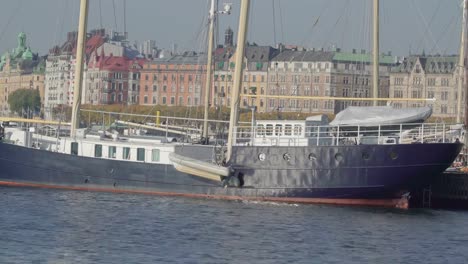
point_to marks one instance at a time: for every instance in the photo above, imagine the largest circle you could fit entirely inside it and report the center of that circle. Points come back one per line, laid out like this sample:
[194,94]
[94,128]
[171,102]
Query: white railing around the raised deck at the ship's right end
[345,135]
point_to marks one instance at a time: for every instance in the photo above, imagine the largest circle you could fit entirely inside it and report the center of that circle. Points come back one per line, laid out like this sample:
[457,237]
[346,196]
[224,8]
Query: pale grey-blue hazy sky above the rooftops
[416,25]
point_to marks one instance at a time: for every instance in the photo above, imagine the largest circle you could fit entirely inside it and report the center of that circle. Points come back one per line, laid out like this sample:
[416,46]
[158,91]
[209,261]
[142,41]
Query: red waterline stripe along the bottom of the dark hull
[399,203]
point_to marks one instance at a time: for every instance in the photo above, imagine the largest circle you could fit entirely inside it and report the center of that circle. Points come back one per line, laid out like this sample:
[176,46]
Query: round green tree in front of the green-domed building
[23,100]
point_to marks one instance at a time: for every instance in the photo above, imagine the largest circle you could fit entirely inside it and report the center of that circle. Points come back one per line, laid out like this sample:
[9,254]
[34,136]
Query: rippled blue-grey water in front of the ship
[51,226]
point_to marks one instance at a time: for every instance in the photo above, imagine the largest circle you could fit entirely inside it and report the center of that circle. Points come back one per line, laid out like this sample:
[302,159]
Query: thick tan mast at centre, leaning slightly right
[241,38]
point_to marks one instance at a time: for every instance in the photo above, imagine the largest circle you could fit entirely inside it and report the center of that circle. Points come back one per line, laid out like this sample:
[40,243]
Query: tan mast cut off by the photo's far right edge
[461,62]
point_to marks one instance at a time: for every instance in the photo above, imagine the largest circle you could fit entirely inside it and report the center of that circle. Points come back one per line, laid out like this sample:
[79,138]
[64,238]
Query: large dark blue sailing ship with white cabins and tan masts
[307,161]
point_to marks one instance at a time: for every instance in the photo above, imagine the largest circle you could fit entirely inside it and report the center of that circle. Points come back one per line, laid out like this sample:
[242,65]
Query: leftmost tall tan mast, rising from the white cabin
[79,66]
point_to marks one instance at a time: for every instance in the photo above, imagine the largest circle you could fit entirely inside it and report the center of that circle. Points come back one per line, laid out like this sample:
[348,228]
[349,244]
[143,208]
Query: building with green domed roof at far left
[20,69]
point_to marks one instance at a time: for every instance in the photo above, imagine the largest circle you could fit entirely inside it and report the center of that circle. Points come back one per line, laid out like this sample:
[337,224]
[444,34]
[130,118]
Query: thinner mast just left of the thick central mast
[209,69]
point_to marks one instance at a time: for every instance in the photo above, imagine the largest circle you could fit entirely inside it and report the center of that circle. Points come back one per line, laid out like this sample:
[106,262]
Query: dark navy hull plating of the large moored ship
[350,175]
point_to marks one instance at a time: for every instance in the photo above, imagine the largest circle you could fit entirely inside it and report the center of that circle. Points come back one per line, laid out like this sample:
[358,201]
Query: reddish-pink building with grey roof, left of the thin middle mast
[175,81]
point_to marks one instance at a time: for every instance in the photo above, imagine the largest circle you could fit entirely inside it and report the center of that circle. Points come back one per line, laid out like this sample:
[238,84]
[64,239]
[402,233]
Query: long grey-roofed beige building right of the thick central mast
[320,73]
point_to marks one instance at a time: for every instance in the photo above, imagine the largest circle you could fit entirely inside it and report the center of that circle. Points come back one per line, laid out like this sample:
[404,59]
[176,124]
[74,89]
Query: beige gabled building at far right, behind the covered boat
[427,77]
